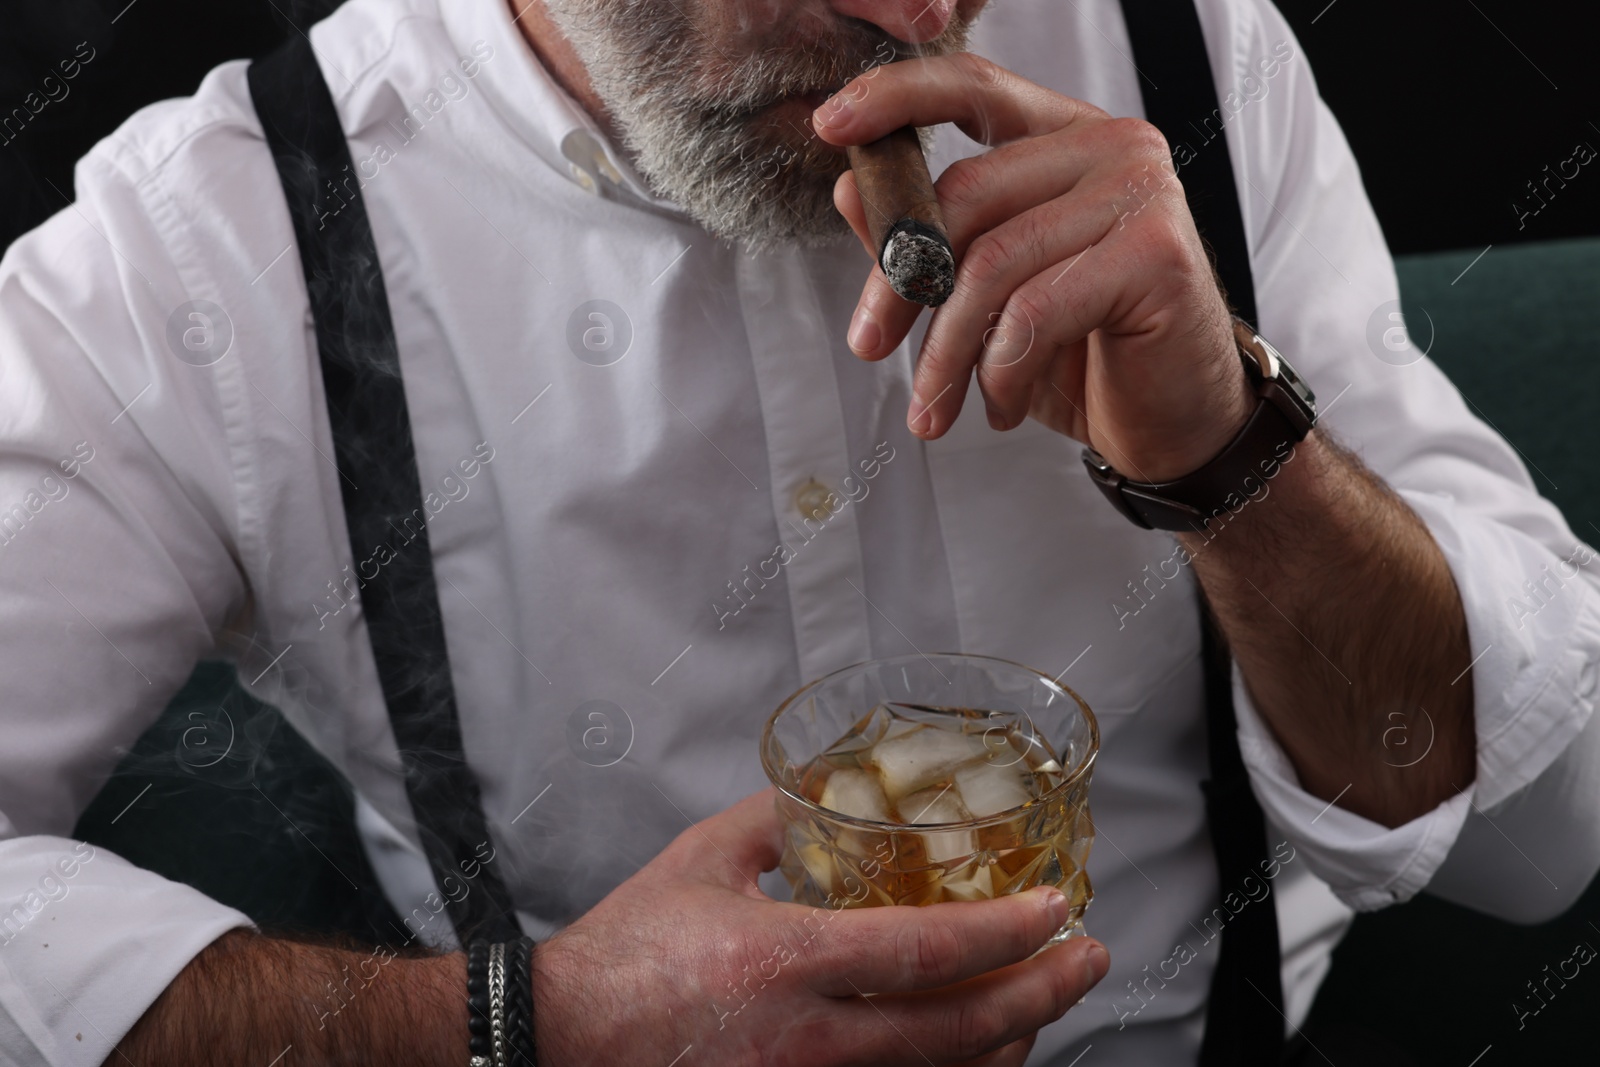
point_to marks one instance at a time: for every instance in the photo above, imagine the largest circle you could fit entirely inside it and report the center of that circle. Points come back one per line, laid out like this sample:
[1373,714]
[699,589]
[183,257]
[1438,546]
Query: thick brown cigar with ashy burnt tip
[903,217]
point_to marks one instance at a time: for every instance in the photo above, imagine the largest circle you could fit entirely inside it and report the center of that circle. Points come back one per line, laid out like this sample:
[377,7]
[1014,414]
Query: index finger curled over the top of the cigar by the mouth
[986,102]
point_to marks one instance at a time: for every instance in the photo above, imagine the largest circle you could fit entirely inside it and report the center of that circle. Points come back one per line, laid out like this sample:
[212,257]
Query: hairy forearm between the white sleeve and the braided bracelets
[249,997]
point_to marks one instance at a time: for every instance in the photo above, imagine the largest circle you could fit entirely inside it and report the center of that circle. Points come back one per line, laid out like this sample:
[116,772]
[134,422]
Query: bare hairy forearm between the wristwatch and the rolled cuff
[1350,633]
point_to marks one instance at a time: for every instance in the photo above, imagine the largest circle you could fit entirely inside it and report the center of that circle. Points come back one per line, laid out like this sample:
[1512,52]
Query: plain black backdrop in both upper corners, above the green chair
[1452,106]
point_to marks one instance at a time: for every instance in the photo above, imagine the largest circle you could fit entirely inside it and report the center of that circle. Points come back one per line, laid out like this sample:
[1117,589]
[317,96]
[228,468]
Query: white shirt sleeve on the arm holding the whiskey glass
[118,569]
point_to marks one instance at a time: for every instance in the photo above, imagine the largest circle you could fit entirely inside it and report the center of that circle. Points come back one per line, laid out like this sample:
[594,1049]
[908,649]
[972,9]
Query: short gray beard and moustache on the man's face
[692,118]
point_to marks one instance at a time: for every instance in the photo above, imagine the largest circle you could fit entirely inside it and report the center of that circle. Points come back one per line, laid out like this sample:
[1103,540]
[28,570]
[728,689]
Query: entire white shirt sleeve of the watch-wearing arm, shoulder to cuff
[1326,289]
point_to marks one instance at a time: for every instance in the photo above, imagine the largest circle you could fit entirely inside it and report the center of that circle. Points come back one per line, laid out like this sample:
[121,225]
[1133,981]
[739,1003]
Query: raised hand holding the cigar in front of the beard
[1097,319]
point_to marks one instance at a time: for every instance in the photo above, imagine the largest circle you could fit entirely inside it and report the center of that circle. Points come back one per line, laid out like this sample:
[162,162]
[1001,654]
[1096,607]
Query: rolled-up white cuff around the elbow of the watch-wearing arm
[1522,842]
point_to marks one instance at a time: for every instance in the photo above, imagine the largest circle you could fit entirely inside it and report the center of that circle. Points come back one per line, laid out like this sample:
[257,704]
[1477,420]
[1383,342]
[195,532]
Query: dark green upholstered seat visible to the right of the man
[1519,334]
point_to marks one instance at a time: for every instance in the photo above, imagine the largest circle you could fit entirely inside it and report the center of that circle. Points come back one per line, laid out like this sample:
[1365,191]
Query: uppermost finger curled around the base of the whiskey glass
[905,948]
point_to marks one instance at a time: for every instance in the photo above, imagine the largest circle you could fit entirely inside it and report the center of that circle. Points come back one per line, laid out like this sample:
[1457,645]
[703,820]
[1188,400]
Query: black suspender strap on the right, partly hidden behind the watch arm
[1246,1010]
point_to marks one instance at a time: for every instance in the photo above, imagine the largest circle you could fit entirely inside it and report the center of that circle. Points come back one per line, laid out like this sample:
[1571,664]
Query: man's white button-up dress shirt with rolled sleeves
[631,474]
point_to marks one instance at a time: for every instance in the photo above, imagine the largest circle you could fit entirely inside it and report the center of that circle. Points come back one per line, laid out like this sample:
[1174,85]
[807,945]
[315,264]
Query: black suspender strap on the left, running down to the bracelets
[378,481]
